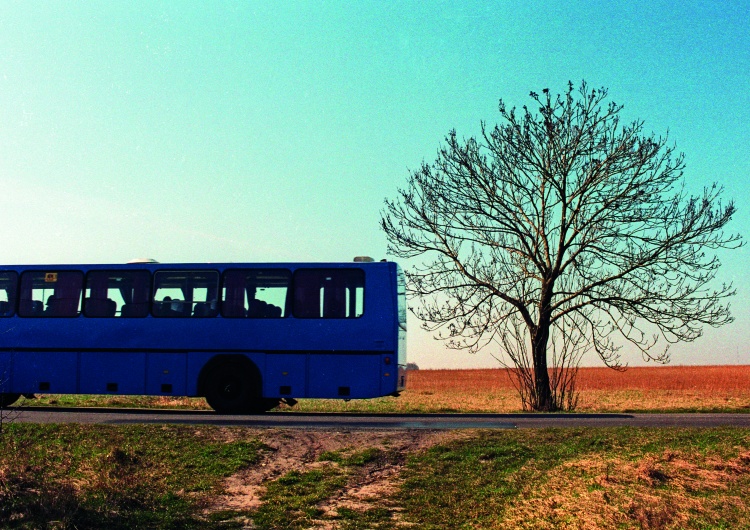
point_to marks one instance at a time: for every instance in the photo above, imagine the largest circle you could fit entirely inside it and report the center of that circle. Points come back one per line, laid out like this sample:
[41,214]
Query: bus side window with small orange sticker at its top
[60,291]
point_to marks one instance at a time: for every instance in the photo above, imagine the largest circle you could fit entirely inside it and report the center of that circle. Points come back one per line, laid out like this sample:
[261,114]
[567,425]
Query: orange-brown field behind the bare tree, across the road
[647,389]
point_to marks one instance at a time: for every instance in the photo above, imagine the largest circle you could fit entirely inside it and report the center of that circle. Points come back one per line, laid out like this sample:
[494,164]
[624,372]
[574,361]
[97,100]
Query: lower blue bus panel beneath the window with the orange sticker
[48,372]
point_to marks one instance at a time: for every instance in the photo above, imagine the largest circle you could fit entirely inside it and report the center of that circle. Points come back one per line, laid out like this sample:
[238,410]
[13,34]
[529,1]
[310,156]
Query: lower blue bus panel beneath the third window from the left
[113,373]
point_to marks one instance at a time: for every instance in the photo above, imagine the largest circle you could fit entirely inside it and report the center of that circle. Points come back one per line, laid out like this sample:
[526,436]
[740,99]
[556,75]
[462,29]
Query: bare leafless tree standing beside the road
[561,231]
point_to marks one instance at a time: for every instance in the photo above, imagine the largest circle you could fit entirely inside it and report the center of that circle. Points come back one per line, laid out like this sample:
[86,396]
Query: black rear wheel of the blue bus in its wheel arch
[234,388]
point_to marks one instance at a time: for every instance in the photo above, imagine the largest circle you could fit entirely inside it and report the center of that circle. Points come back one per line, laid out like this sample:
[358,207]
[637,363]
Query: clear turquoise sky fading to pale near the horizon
[269,131]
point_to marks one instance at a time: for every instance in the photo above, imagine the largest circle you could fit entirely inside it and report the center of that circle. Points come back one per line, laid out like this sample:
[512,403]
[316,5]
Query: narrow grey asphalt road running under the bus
[297,420]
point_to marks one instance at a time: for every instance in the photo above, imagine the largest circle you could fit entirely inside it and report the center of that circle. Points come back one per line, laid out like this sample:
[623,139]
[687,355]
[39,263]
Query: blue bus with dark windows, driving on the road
[244,336]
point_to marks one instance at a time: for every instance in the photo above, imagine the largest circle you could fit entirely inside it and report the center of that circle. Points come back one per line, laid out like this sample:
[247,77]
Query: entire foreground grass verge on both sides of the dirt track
[83,476]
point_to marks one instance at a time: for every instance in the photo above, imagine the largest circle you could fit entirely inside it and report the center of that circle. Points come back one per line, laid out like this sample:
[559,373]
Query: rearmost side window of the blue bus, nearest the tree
[329,293]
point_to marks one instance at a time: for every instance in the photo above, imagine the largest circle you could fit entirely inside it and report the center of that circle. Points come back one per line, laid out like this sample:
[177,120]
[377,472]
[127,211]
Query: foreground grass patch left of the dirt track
[84,476]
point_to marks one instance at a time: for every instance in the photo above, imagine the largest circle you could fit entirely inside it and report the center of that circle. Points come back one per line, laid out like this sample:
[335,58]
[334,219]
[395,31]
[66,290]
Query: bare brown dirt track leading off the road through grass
[295,450]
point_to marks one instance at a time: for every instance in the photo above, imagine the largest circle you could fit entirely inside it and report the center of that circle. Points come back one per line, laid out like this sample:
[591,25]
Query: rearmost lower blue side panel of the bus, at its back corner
[344,376]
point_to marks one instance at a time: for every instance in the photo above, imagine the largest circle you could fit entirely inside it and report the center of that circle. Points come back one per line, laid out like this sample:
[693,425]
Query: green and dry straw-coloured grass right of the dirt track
[576,478]
